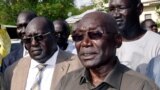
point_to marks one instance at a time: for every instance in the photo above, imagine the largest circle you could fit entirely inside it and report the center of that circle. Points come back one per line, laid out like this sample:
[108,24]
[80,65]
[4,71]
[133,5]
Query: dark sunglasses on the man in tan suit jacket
[37,38]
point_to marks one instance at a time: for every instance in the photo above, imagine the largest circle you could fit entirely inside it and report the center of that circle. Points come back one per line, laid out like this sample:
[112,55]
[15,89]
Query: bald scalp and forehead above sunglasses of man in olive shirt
[99,19]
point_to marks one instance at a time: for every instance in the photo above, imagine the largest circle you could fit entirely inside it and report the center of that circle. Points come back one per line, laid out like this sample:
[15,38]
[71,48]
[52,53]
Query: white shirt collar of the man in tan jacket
[50,62]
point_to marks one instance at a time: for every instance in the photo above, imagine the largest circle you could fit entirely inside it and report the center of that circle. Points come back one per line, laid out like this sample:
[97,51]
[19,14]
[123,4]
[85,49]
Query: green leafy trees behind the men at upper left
[53,9]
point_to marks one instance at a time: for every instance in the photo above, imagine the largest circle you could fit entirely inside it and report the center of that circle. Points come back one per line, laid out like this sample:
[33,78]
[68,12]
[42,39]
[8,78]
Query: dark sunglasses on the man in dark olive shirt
[94,35]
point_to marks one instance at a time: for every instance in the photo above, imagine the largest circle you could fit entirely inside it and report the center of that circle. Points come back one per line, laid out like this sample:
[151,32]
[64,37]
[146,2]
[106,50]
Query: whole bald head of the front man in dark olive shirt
[96,39]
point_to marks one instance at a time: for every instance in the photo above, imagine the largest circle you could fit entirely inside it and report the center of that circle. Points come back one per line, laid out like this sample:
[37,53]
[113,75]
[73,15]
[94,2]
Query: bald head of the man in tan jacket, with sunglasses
[39,40]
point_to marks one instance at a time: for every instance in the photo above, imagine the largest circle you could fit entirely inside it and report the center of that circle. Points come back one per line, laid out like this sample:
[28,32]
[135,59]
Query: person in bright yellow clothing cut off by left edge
[5,44]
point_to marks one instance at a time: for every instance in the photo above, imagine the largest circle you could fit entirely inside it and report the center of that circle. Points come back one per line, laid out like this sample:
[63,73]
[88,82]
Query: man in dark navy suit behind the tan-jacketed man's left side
[22,20]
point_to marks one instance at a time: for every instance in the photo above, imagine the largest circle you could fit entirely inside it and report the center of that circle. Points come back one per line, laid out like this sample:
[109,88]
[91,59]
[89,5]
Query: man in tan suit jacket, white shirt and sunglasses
[41,44]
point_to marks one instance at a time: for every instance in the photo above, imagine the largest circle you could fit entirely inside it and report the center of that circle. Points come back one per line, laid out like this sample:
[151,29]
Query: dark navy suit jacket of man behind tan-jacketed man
[12,57]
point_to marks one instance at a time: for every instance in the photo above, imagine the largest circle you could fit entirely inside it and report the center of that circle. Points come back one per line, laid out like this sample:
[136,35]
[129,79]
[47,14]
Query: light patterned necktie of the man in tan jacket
[36,85]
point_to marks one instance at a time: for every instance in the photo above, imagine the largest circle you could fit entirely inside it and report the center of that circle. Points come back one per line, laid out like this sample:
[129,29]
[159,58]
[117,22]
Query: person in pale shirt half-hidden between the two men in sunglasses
[62,32]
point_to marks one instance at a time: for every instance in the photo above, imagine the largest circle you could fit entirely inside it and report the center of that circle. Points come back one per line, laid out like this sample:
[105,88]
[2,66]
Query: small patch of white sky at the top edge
[80,3]
